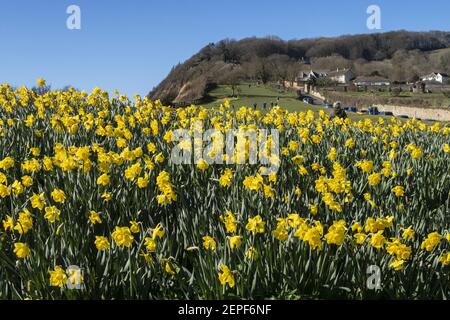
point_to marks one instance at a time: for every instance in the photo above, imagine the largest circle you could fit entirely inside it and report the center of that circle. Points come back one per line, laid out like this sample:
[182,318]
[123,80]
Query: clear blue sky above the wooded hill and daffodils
[132,45]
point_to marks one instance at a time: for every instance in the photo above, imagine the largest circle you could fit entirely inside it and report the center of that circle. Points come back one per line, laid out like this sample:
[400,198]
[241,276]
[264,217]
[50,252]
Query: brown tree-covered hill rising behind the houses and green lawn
[399,56]
